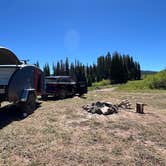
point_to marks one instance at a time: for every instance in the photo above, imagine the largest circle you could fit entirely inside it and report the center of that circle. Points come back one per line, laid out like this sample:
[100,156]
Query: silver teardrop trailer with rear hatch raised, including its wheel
[19,83]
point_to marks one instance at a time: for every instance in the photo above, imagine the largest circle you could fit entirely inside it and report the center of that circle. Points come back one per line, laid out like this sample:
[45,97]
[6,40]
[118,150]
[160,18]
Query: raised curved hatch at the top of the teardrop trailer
[7,57]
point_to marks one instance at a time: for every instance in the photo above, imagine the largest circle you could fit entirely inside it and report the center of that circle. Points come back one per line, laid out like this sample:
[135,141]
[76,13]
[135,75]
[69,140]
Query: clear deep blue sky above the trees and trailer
[50,30]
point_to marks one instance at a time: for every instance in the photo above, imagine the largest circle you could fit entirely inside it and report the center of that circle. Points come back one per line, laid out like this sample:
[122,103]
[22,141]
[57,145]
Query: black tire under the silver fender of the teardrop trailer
[29,106]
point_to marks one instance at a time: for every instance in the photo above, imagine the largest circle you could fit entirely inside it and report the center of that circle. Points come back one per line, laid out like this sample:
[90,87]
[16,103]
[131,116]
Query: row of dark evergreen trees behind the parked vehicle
[116,67]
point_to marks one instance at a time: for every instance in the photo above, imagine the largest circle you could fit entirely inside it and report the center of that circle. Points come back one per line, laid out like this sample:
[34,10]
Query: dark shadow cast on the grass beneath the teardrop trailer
[11,113]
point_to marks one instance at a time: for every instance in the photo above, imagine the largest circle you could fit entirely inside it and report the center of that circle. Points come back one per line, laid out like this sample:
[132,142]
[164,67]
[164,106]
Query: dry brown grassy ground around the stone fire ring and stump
[61,133]
